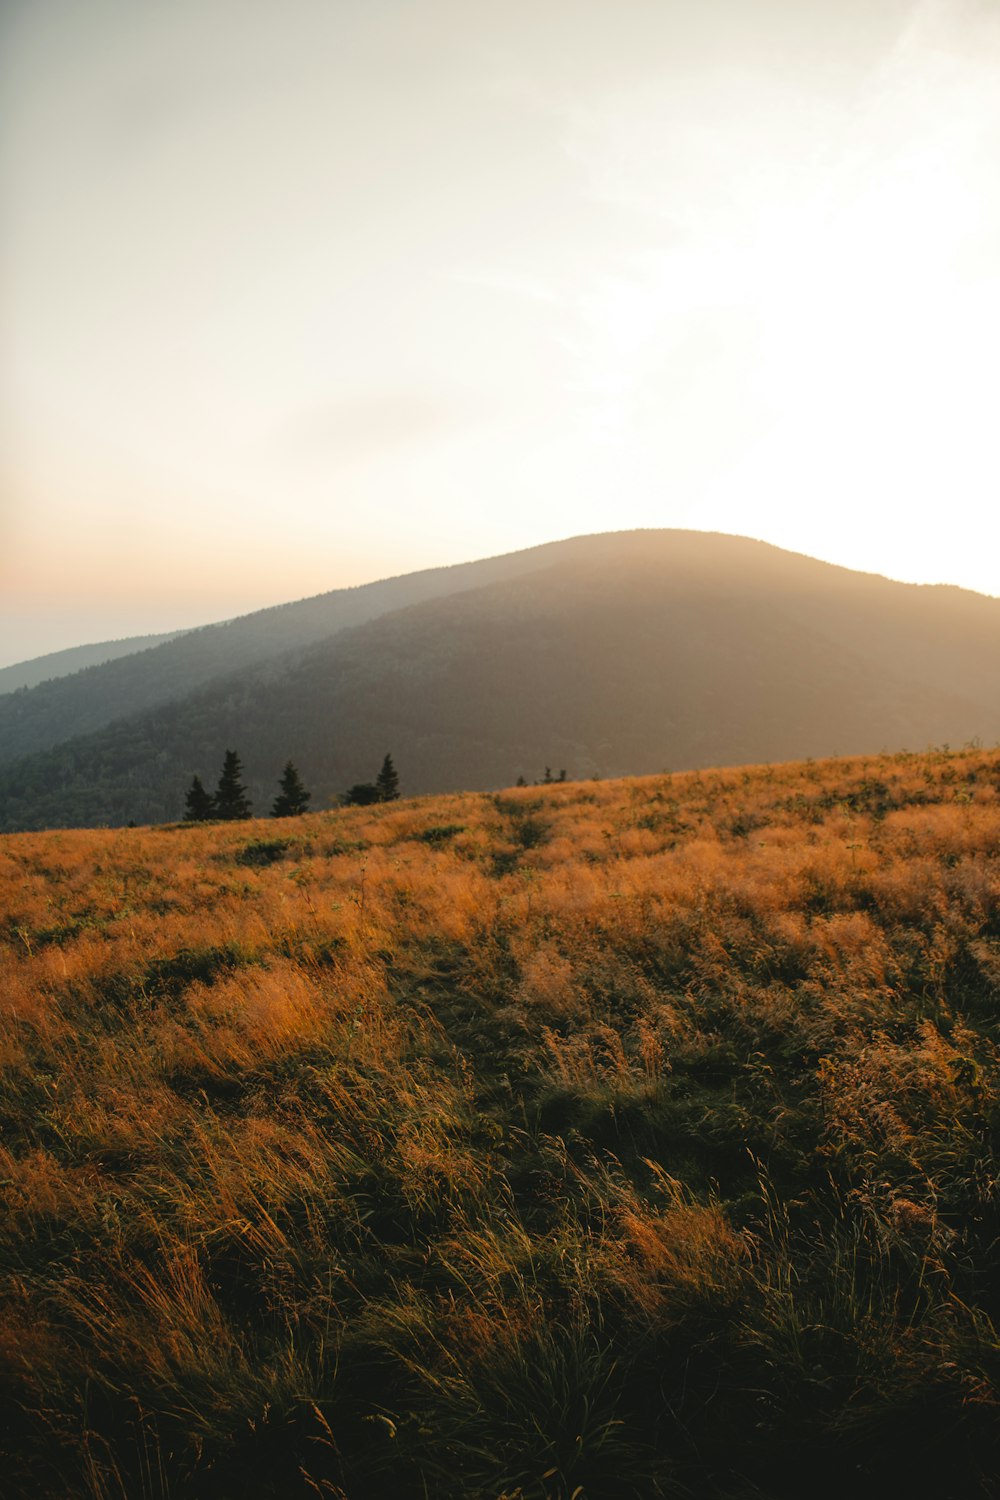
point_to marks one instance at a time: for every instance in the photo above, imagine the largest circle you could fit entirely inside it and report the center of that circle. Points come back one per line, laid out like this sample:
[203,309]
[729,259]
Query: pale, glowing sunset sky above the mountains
[298,296]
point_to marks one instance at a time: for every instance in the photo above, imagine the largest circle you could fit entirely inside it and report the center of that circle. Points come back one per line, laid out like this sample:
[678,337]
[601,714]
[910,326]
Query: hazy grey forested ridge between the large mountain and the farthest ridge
[50,713]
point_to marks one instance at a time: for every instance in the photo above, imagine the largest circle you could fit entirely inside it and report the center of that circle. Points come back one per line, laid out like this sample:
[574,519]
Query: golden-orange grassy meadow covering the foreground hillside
[596,1141]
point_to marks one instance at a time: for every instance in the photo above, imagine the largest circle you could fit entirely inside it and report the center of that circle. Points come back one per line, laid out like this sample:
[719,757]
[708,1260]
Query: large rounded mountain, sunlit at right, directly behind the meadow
[626,655]
